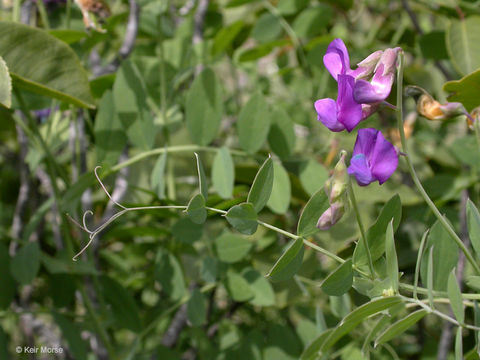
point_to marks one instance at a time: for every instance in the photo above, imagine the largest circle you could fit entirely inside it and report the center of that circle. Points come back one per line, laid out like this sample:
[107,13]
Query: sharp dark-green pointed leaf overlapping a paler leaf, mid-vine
[262,186]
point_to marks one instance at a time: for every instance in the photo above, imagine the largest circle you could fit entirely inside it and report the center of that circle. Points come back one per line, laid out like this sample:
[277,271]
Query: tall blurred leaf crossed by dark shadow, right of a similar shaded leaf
[129,97]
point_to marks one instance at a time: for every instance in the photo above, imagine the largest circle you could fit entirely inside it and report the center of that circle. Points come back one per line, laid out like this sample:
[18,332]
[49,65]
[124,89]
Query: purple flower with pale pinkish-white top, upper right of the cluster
[378,89]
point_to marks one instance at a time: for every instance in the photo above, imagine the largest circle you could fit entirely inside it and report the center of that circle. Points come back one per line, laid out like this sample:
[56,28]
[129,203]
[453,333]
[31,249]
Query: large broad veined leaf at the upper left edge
[40,63]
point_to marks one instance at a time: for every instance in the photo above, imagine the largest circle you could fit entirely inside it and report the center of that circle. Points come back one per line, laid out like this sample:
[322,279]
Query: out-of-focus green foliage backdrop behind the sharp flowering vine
[229,79]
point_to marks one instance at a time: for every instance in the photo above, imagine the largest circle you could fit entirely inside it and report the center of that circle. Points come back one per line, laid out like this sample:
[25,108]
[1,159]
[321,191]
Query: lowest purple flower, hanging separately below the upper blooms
[374,158]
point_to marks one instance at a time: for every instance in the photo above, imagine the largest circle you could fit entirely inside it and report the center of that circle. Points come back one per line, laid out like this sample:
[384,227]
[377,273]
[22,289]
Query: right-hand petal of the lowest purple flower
[384,159]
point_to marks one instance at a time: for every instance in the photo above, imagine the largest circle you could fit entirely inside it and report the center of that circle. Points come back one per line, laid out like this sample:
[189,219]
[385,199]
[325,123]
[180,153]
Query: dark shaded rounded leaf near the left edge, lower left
[26,263]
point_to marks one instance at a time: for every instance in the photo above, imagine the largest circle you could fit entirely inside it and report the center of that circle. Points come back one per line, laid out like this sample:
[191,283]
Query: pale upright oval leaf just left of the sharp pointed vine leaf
[223,173]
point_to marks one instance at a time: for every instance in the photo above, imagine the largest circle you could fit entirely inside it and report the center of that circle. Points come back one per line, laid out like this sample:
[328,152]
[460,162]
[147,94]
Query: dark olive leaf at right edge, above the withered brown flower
[465,90]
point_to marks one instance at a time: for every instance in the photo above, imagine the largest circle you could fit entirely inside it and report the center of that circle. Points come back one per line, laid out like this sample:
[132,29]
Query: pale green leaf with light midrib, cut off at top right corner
[463,44]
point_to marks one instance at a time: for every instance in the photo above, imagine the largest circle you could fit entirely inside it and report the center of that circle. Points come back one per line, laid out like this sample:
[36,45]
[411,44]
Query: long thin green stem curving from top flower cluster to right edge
[414,176]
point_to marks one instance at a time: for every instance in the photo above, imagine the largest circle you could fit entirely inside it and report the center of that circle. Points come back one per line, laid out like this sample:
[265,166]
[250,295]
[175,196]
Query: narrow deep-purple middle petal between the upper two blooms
[349,111]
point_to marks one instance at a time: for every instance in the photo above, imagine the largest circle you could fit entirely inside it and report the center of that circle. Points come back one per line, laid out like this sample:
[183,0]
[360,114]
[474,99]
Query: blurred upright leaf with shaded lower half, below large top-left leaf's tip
[110,138]
